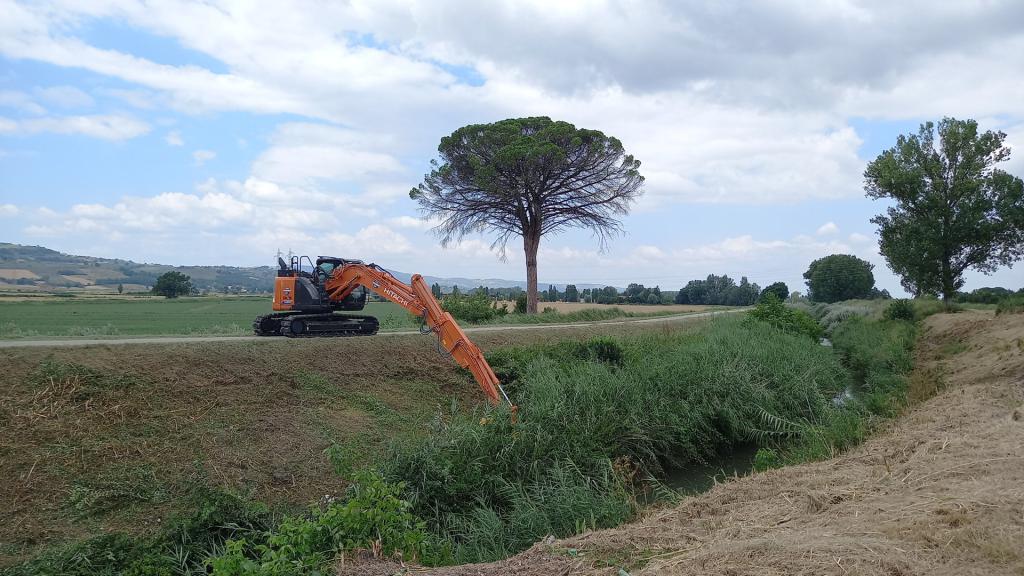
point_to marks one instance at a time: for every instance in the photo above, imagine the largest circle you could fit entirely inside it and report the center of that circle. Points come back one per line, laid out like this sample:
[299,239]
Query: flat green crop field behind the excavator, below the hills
[153,317]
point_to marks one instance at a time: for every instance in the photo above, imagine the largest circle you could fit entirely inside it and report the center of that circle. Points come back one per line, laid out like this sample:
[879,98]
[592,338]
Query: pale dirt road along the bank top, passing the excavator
[472,330]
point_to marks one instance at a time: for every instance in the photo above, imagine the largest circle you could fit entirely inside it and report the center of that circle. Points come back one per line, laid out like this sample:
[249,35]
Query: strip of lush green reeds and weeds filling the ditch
[599,423]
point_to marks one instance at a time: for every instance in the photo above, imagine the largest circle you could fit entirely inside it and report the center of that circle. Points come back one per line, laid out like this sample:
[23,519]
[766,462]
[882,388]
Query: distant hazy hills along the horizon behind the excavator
[38,269]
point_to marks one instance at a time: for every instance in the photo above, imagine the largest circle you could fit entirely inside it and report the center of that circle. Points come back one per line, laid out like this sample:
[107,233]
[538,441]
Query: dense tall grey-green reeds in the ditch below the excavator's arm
[593,418]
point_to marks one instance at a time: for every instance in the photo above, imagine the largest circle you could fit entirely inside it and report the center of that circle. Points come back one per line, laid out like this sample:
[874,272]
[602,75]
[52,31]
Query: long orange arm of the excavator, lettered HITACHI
[417,299]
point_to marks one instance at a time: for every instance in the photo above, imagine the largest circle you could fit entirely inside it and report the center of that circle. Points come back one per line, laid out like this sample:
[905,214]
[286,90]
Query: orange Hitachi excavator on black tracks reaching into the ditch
[308,298]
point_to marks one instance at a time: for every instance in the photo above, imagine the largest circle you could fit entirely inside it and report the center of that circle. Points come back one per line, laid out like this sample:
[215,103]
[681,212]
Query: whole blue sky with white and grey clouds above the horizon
[200,134]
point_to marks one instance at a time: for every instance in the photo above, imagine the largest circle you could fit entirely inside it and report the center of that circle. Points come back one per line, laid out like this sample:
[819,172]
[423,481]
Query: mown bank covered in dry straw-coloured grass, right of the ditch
[940,491]
